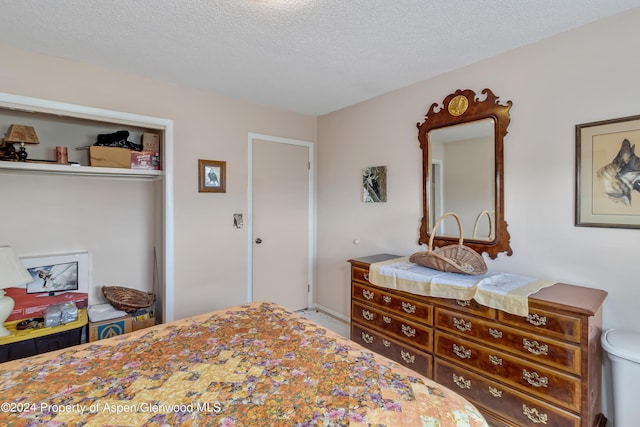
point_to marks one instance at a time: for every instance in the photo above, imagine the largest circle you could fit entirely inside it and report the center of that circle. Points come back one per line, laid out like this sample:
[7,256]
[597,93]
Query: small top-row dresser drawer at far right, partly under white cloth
[545,323]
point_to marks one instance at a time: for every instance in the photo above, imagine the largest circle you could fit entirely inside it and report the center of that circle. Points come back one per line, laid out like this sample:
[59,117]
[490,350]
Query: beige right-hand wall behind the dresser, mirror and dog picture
[580,76]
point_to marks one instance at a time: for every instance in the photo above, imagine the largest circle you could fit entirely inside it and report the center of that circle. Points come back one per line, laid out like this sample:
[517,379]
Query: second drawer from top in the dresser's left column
[414,310]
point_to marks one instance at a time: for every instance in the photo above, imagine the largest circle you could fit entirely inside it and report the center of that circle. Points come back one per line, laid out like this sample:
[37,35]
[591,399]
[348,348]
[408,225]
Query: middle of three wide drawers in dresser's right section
[554,386]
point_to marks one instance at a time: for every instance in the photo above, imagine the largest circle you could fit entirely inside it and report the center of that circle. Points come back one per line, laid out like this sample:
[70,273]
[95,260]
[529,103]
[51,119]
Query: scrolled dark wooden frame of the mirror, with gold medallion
[467,107]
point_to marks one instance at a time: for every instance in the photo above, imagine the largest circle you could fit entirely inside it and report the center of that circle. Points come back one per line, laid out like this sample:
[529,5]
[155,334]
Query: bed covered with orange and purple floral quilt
[251,365]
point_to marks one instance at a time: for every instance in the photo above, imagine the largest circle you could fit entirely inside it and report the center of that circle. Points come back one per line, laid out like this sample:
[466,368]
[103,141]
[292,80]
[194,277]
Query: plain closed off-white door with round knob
[280,221]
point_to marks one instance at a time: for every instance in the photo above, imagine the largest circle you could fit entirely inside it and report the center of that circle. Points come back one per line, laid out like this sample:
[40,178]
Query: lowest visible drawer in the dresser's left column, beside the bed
[394,350]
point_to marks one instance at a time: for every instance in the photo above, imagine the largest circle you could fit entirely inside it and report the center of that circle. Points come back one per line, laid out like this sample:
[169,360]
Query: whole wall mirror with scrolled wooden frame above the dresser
[463,171]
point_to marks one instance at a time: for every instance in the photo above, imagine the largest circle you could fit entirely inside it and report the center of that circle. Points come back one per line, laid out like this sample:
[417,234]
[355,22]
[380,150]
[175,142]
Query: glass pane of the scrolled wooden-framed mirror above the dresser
[463,179]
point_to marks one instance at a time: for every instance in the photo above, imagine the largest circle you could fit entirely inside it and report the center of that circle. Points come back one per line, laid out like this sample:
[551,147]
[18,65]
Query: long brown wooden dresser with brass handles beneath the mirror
[540,370]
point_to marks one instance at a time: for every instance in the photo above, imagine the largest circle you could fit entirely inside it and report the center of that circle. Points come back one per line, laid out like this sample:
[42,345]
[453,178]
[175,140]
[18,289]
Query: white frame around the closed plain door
[311,209]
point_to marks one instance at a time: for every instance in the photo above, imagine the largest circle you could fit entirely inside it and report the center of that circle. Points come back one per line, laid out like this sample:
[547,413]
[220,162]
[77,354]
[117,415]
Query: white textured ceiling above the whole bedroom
[308,56]
